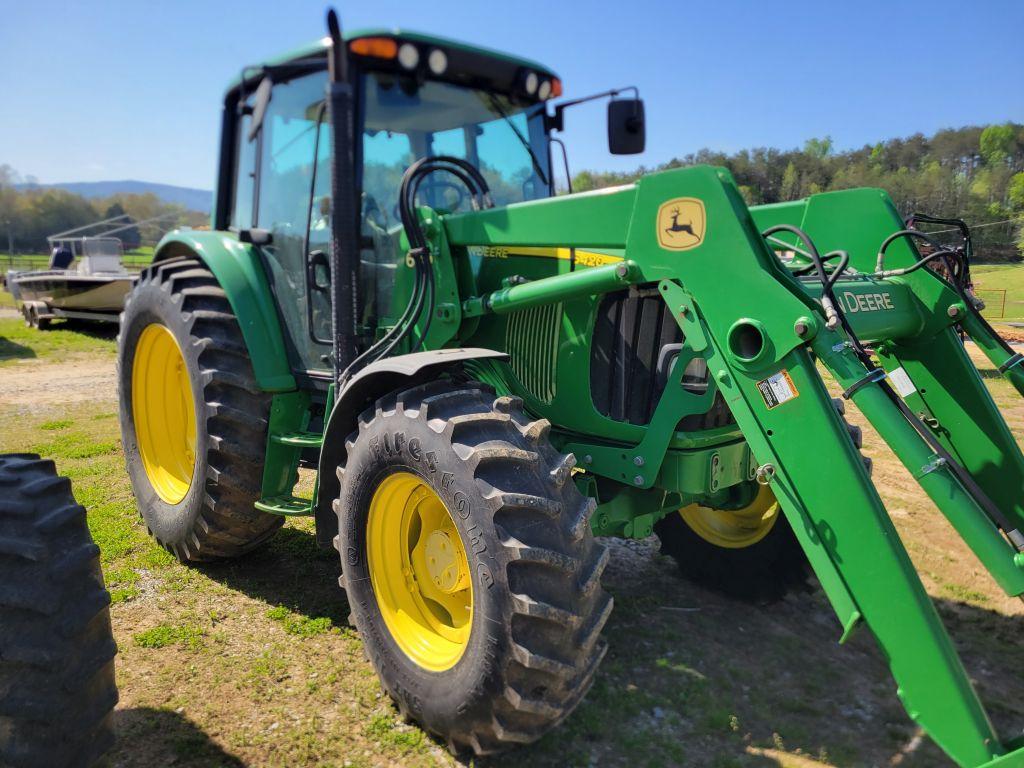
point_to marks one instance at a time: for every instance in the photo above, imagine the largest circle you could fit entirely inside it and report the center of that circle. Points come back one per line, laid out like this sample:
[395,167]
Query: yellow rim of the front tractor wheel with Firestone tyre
[419,572]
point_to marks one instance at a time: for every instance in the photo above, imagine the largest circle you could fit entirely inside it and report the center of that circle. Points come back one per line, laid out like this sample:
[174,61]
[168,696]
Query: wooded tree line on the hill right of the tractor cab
[974,174]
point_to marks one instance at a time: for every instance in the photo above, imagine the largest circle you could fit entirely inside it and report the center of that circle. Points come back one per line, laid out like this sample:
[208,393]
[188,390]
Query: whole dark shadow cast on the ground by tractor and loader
[696,679]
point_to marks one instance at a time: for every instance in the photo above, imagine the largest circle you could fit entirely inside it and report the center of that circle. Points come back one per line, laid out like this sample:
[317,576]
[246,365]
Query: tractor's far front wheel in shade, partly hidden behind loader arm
[749,553]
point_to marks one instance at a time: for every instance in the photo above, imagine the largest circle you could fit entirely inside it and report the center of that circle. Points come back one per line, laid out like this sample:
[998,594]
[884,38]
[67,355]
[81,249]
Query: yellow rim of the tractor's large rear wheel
[164,413]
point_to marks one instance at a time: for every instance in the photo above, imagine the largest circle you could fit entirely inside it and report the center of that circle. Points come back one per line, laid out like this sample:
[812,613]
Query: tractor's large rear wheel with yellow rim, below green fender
[194,422]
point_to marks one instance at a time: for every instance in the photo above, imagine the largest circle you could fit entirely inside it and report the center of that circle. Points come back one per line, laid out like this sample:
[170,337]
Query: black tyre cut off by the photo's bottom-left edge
[57,651]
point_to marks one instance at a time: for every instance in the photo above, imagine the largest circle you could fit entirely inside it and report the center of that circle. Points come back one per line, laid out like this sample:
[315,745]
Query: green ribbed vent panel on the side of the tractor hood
[532,342]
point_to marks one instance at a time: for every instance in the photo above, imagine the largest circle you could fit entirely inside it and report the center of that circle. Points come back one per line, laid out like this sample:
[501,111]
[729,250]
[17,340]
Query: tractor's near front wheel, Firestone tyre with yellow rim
[470,565]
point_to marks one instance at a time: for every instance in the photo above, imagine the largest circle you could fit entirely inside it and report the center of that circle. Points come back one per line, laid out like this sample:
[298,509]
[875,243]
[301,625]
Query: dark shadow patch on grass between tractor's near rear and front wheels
[290,571]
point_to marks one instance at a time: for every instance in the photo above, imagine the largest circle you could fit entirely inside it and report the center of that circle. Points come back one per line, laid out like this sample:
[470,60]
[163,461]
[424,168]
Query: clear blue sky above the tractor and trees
[110,91]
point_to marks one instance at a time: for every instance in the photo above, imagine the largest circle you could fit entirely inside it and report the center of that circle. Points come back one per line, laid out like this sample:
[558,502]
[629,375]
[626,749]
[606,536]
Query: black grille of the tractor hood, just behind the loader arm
[635,343]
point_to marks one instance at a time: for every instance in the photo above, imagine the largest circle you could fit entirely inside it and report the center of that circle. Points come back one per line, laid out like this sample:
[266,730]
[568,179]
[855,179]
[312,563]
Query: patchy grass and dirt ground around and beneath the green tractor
[254,663]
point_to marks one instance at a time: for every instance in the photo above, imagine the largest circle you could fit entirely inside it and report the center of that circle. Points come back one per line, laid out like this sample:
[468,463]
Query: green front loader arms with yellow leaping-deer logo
[760,330]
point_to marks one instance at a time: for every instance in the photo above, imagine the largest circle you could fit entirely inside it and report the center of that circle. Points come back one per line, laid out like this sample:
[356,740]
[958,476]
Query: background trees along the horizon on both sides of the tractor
[975,174]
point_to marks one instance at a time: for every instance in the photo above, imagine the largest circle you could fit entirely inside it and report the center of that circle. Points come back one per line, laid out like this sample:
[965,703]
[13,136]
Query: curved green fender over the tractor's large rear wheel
[240,273]
